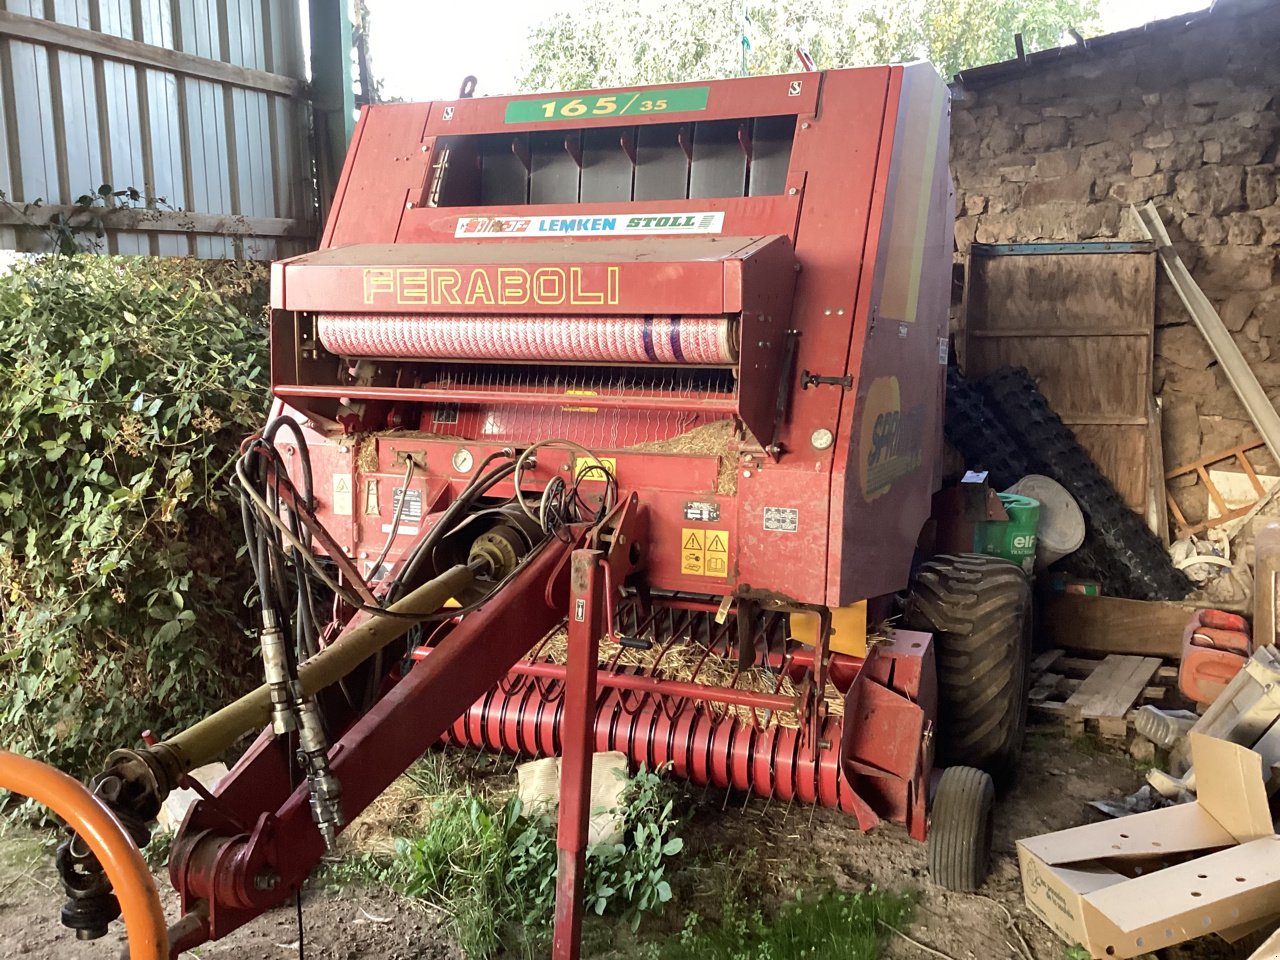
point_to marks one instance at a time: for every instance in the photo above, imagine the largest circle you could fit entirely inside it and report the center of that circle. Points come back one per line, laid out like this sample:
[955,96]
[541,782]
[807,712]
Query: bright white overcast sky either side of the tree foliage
[423,51]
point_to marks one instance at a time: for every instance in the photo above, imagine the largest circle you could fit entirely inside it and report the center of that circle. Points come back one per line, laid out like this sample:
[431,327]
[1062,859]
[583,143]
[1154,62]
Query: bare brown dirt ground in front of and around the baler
[796,849]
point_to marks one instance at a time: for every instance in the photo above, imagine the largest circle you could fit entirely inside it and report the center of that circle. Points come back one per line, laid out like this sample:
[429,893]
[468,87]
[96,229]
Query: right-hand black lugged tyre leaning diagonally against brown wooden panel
[1121,543]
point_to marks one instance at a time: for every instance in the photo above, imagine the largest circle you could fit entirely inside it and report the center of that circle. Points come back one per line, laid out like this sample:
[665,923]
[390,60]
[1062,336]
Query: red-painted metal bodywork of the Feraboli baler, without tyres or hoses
[839,286]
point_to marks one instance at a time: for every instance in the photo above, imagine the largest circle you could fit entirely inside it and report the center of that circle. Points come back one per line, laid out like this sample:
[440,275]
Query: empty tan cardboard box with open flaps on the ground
[1150,881]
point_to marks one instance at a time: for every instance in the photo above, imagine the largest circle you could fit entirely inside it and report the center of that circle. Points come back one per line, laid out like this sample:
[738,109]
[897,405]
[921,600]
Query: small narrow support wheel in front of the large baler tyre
[961,826]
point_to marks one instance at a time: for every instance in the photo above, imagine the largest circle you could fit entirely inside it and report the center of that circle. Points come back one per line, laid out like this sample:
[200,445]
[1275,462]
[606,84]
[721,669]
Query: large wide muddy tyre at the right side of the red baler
[979,610]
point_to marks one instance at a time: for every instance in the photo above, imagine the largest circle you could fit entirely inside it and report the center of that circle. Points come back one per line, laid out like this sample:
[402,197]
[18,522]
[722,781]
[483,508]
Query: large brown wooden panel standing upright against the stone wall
[1084,326]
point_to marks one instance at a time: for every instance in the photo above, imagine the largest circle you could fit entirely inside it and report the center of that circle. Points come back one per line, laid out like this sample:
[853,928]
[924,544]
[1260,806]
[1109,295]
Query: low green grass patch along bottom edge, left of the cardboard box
[833,925]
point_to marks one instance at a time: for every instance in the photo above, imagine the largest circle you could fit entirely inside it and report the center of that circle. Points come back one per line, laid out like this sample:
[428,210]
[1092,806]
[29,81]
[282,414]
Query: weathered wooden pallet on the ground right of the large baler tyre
[1099,694]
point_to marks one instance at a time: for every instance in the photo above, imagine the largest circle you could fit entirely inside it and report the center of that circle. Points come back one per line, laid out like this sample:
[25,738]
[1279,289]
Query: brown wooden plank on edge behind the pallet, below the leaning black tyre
[1114,625]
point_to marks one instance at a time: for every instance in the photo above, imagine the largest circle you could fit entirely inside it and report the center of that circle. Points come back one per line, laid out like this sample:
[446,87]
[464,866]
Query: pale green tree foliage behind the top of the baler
[602,44]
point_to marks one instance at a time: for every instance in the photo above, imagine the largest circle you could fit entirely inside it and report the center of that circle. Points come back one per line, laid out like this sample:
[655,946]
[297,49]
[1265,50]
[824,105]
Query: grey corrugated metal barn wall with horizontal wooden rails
[200,103]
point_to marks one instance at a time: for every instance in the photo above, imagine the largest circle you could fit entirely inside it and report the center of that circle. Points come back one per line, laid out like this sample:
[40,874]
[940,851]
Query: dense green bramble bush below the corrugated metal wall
[126,386]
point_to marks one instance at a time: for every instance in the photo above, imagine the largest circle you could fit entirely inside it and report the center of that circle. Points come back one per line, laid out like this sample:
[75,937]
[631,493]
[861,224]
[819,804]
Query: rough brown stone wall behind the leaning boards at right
[1185,115]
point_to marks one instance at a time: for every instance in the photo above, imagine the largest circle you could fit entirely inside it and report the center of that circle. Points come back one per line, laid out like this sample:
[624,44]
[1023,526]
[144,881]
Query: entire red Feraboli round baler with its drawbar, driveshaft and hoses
[646,387]
